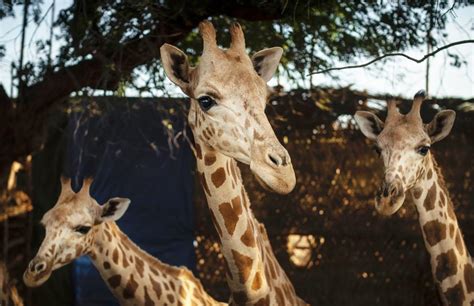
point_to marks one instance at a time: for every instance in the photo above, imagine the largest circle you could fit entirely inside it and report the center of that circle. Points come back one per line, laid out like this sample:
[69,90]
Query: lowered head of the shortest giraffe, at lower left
[69,229]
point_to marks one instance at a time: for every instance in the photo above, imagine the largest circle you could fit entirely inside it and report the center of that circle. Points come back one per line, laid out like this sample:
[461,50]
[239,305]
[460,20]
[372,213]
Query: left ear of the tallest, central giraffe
[176,65]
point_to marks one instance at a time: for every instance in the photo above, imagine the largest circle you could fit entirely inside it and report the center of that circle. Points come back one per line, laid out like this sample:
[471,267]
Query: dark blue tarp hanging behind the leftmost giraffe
[124,145]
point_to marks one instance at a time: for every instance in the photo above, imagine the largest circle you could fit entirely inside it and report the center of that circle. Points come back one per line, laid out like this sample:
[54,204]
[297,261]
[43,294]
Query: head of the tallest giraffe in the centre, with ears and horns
[228,94]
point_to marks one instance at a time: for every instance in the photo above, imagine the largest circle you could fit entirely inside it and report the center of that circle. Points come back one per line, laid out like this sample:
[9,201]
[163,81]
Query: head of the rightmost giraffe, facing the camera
[403,142]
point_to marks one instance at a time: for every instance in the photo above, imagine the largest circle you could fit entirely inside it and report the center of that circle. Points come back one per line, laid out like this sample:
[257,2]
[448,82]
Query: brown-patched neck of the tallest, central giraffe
[253,273]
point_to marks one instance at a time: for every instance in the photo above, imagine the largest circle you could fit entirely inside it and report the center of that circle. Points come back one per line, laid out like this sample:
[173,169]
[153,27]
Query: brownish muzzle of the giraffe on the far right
[390,197]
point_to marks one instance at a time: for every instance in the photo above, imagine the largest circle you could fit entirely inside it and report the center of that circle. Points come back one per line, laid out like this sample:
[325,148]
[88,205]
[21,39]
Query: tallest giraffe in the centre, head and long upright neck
[228,93]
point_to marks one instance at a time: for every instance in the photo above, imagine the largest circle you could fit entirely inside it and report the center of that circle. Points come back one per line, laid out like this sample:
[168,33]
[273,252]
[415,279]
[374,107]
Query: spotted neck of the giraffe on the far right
[451,263]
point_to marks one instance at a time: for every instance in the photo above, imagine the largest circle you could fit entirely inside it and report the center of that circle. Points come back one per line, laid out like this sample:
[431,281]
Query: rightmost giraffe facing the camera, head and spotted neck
[403,142]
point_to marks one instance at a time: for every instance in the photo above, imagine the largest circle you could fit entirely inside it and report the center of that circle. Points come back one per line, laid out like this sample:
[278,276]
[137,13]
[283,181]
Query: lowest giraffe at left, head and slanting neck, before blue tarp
[78,226]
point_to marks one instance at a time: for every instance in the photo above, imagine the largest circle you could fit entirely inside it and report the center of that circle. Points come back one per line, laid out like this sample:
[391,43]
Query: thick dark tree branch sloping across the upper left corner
[21,128]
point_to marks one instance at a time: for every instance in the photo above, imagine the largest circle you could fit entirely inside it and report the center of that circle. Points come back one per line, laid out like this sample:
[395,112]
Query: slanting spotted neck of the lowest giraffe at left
[137,278]
